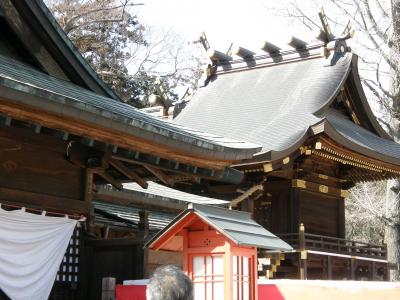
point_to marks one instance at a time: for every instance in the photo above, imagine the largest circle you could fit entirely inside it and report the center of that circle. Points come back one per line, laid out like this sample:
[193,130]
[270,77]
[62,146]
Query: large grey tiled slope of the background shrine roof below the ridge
[271,106]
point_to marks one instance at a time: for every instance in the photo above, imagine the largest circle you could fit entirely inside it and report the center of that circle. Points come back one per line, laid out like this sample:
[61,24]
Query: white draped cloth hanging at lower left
[31,250]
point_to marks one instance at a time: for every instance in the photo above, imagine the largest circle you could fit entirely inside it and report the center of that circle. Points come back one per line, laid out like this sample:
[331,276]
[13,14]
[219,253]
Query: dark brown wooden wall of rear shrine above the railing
[282,208]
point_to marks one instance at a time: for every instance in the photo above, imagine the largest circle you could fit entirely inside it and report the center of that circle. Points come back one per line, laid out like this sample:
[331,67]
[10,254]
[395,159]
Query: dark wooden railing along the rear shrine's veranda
[307,241]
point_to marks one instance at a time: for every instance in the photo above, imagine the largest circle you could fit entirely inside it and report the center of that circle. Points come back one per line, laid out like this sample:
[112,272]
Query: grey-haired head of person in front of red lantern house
[169,283]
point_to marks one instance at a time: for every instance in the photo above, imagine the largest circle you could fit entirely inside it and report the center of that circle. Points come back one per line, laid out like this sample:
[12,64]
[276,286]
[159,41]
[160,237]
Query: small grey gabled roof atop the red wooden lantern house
[237,226]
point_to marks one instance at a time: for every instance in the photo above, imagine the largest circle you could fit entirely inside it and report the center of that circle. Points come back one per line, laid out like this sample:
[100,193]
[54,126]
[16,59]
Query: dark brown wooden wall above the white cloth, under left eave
[34,165]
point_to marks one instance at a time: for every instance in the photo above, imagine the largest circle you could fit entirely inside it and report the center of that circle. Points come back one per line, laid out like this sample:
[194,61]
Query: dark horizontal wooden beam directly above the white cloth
[43,201]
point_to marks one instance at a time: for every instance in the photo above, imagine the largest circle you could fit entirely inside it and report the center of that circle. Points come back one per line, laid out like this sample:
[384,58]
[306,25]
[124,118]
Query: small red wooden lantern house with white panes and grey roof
[219,251]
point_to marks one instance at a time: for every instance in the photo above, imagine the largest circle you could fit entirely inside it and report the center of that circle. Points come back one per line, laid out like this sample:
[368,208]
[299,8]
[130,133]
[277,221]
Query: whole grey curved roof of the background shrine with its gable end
[279,101]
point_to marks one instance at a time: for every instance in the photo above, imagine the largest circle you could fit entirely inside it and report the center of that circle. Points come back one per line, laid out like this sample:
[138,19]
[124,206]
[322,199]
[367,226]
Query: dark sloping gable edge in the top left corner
[35,24]
